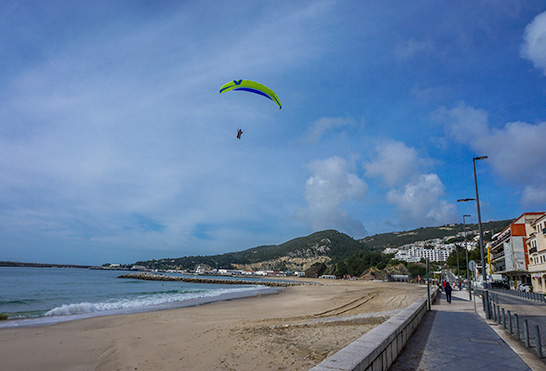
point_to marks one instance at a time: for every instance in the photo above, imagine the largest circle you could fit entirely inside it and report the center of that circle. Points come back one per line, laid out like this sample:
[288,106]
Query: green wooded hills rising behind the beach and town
[324,252]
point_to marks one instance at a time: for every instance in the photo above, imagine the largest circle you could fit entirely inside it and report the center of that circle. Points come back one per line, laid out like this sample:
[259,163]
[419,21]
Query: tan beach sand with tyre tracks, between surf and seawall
[294,330]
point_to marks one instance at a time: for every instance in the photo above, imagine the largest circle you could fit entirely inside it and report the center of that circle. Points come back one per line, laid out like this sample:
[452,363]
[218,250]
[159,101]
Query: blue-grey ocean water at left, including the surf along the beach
[42,296]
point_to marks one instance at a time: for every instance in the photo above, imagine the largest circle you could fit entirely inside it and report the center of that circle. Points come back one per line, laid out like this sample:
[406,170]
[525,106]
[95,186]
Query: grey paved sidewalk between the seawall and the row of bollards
[454,337]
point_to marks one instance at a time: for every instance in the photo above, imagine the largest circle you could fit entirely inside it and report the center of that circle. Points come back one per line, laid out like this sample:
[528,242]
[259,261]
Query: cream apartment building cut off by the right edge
[536,246]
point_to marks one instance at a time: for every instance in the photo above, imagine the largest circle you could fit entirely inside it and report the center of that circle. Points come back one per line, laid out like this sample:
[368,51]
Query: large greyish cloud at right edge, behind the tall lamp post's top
[516,151]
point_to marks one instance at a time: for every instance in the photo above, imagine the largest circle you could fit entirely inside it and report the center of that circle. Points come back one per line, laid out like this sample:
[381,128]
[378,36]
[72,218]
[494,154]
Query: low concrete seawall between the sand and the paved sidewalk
[377,349]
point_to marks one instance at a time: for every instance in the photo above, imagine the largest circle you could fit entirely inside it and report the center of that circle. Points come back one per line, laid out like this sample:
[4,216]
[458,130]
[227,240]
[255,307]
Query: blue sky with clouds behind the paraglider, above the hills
[116,146]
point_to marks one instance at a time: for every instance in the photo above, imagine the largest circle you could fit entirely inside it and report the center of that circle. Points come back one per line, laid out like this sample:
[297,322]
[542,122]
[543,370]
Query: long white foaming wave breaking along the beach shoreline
[149,300]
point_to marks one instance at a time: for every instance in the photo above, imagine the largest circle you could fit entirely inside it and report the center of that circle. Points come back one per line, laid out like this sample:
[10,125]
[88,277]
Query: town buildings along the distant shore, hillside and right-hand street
[515,258]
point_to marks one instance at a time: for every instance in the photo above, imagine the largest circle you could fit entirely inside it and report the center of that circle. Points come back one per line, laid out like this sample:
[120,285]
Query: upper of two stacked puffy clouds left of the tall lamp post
[394,162]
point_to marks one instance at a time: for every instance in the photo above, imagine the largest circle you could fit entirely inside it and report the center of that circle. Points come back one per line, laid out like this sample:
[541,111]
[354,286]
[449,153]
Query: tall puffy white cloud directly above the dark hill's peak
[326,191]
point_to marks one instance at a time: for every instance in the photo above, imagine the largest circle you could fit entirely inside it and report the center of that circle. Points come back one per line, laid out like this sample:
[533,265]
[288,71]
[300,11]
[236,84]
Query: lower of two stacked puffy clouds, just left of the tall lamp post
[419,202]
